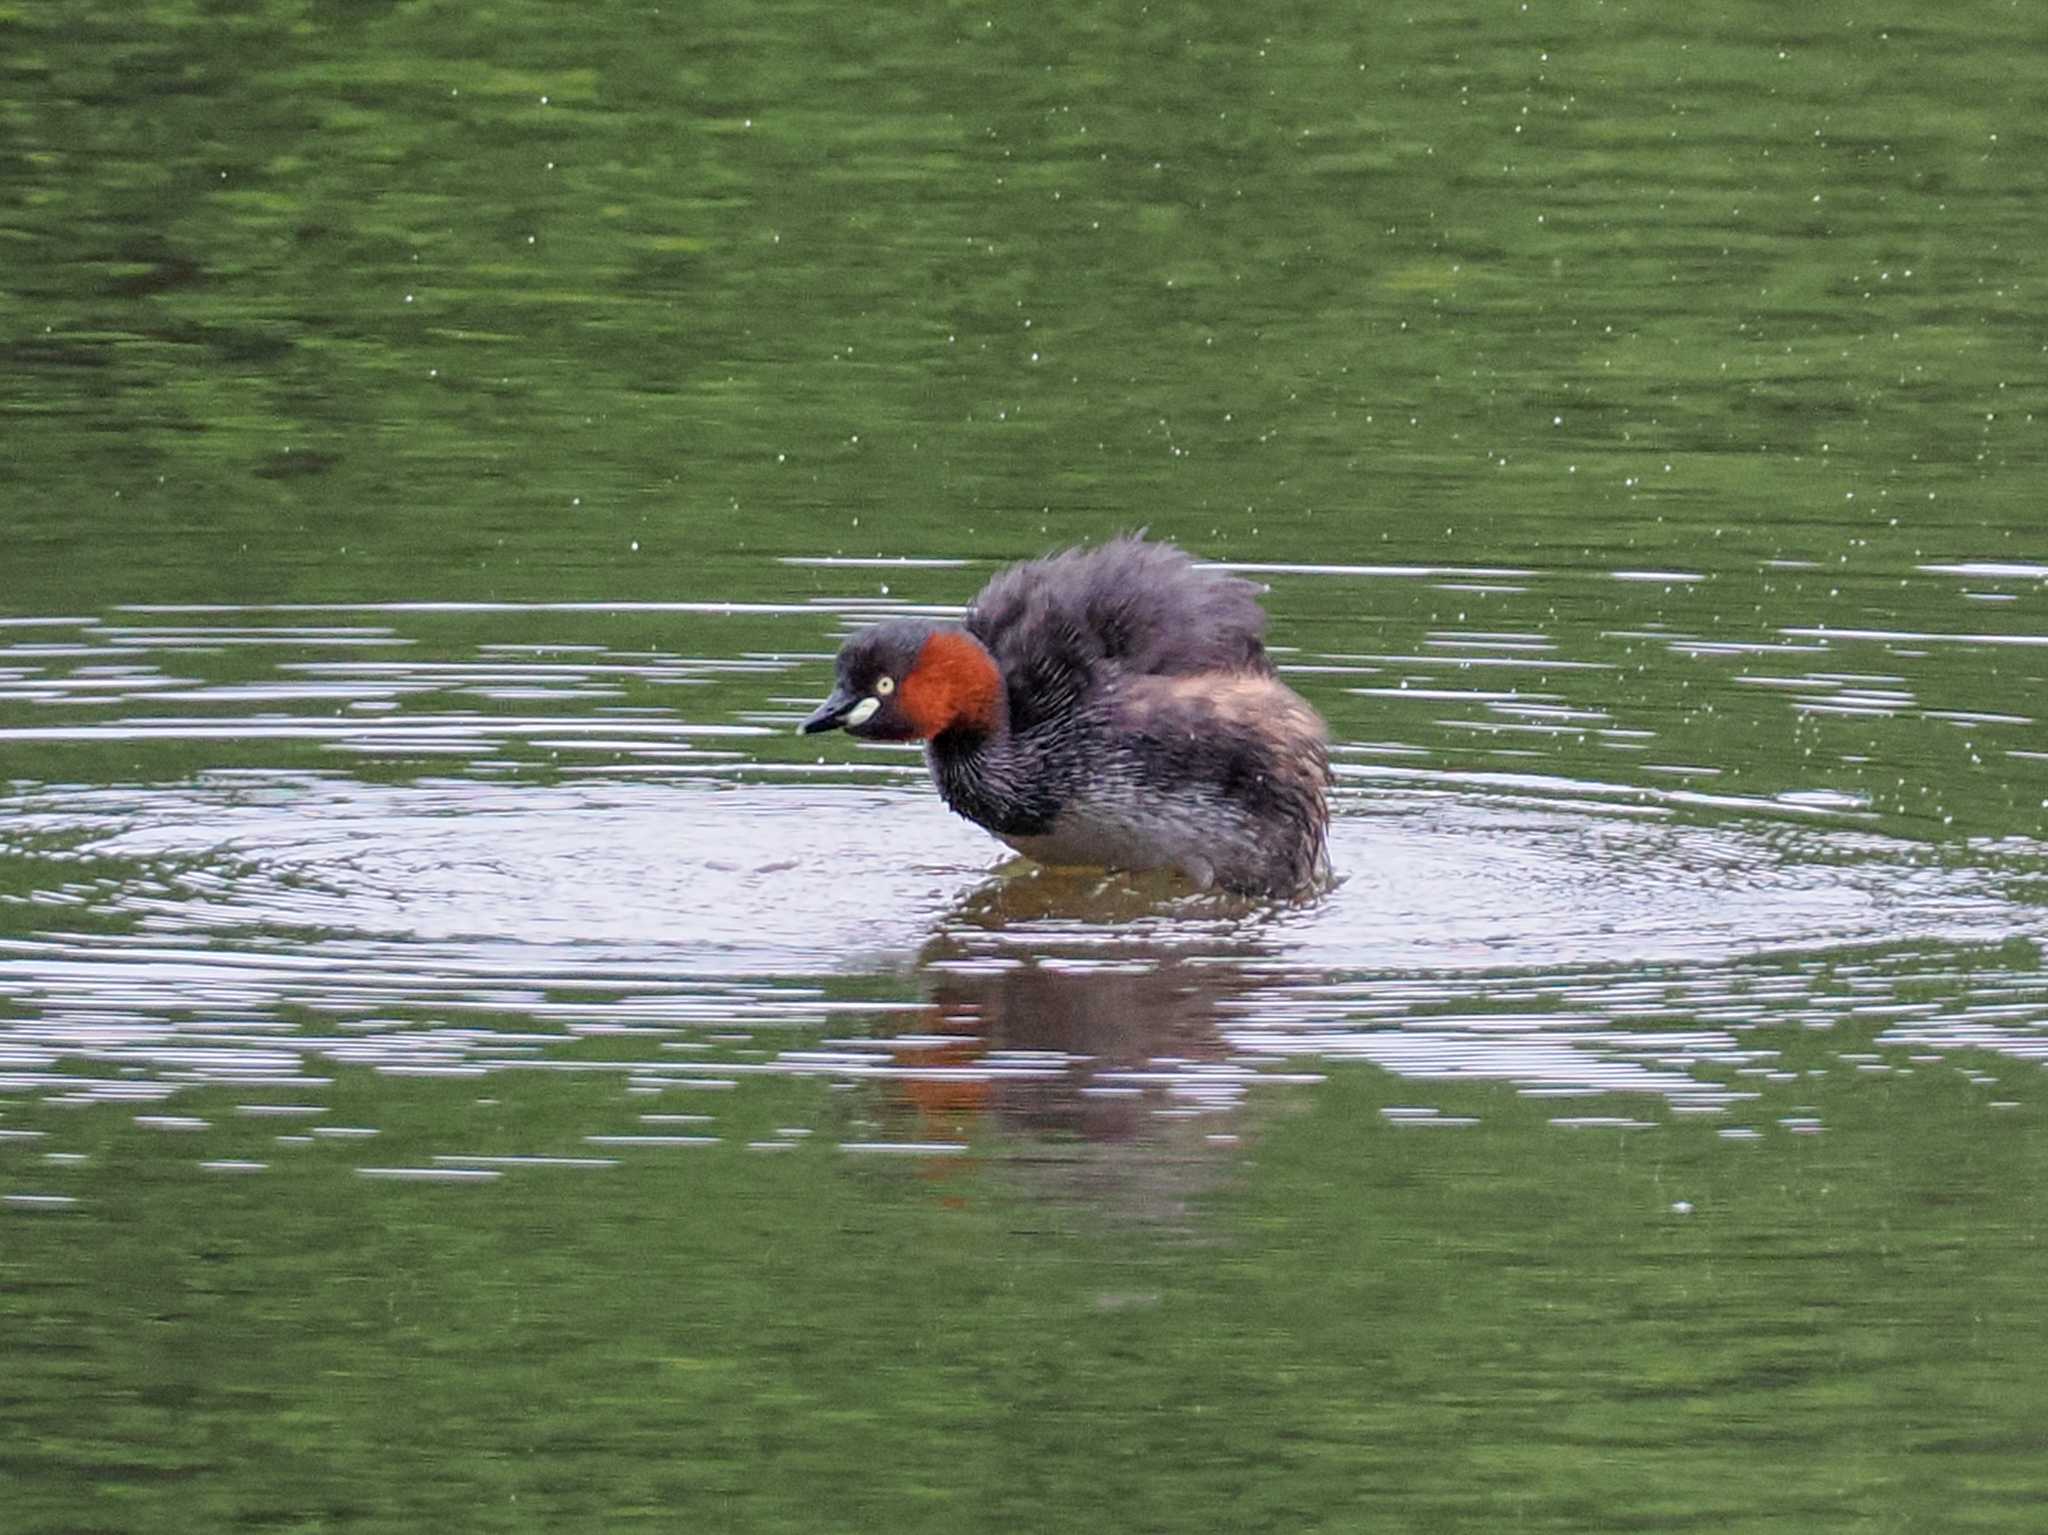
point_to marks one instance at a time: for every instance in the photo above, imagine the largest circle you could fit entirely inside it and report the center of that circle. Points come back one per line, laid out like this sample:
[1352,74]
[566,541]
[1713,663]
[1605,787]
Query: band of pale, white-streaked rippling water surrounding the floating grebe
[583,842]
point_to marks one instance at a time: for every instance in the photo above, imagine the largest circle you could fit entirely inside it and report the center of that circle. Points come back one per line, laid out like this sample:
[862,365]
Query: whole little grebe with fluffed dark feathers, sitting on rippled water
[1109,707]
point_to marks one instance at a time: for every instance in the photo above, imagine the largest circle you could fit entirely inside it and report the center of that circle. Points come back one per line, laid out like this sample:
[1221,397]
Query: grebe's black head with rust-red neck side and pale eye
[910,681]
